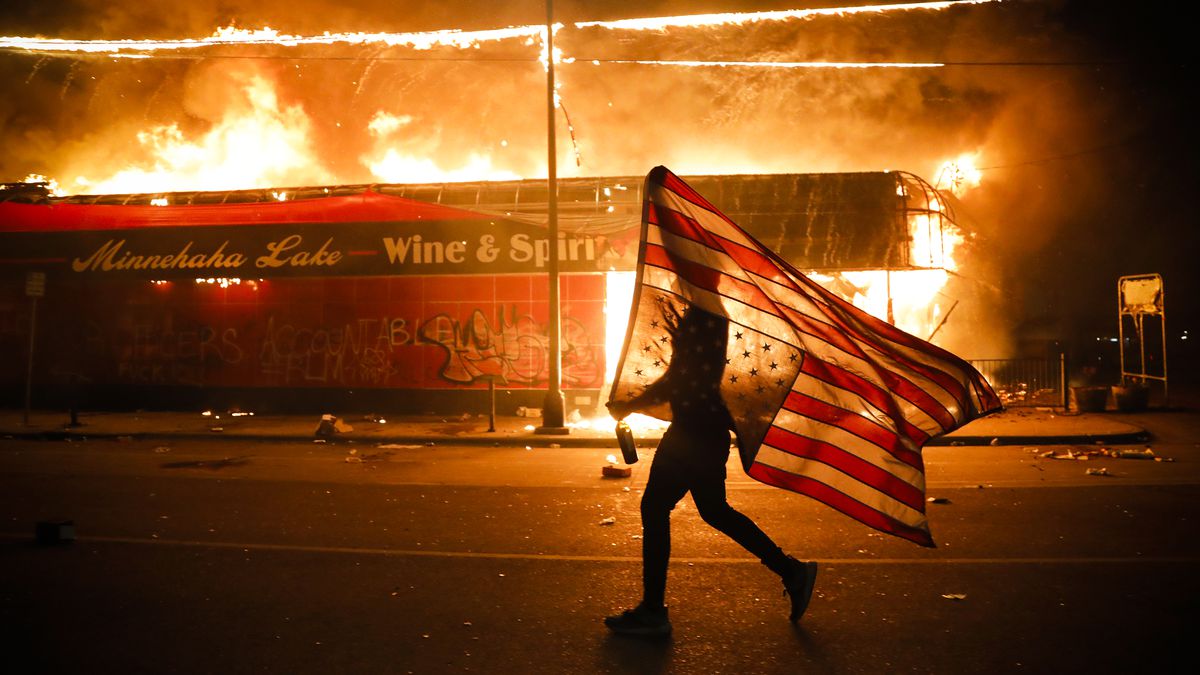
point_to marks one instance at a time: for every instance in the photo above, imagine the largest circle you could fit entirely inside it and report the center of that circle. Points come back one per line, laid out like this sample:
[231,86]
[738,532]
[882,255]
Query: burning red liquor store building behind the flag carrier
[404,297]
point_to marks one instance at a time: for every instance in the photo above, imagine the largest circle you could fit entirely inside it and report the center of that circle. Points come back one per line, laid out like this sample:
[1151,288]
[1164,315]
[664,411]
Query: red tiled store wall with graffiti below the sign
[399,332]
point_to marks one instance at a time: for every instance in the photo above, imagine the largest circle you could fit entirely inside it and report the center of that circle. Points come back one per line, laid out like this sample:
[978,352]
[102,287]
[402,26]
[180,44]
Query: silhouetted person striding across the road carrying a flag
[692,457]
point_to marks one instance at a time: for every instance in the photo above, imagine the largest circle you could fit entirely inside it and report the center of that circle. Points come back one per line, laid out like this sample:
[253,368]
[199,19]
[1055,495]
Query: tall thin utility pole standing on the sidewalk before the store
[554,409]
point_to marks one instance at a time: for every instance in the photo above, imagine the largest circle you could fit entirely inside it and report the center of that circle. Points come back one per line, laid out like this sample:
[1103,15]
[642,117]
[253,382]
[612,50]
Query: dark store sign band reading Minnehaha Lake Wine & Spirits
[338,249]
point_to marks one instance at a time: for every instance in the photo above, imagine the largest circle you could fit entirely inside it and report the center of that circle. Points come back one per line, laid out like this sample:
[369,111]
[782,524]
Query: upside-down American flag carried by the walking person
[826,399]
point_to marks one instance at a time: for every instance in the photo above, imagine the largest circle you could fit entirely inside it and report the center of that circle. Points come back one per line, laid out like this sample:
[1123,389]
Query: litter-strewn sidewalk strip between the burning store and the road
[1010,428]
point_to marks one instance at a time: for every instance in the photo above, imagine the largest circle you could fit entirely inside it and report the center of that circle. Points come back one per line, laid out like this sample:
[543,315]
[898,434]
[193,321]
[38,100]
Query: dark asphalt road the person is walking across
[298,558]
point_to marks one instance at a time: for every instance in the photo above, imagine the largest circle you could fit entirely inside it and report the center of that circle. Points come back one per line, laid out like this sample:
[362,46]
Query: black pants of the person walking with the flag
[695,463]
